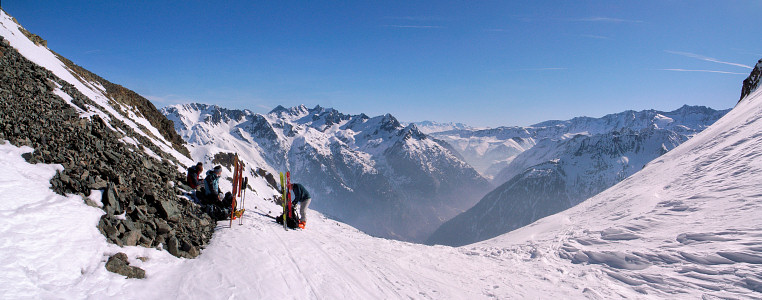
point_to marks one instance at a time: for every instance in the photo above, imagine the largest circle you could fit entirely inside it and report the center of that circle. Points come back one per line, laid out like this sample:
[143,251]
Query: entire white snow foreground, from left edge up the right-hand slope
[686,226]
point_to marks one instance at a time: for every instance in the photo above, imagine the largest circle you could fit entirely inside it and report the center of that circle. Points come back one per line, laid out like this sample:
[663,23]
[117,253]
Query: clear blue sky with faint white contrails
[485,63]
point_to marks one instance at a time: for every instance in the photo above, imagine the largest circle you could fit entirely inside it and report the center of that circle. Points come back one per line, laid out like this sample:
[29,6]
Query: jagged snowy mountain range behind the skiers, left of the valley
[384,178]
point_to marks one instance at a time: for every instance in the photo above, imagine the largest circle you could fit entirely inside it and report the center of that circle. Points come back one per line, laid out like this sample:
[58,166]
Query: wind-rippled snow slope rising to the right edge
[686,226]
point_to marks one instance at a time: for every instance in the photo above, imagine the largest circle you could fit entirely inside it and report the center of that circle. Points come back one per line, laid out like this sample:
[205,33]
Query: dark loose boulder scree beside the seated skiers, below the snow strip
[140,192]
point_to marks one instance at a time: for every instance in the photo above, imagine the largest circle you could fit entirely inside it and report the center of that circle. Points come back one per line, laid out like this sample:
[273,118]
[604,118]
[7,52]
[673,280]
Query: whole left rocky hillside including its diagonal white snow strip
[104,137]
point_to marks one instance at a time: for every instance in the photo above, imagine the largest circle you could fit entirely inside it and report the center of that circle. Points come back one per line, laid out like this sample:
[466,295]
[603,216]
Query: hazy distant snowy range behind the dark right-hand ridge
[491,151]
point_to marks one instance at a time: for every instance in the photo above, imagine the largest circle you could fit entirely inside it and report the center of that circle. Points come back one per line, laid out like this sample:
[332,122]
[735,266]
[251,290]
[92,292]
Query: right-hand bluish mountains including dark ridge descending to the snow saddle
[570,162]
